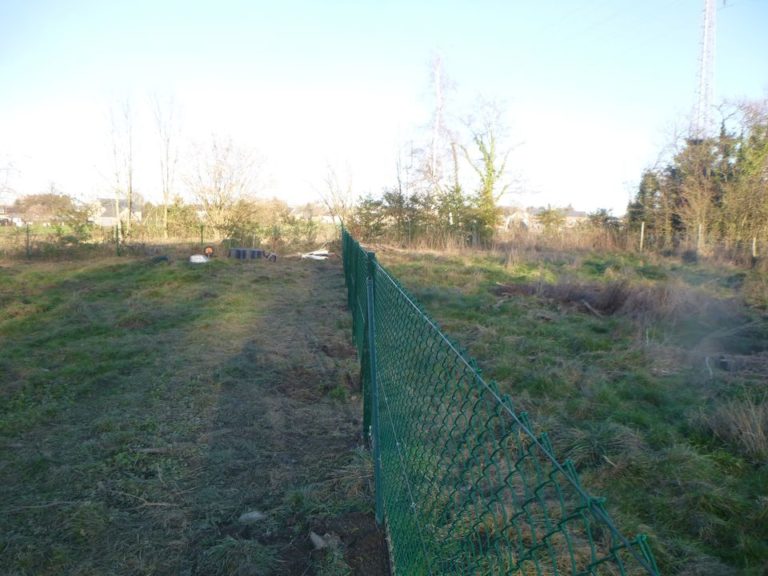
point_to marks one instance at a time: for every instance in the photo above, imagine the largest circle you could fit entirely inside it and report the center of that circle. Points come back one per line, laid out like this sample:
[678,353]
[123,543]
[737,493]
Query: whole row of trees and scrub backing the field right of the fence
[707,198]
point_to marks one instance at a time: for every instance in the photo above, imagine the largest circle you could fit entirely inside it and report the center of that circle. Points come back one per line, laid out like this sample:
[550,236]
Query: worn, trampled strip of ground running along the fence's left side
[288,427]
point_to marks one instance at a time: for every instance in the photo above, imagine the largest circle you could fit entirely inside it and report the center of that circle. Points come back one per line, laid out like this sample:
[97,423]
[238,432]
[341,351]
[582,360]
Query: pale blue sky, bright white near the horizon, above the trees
[591,90]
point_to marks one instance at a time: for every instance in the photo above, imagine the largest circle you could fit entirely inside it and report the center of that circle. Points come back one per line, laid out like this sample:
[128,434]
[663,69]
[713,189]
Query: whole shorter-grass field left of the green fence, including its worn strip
[160,418]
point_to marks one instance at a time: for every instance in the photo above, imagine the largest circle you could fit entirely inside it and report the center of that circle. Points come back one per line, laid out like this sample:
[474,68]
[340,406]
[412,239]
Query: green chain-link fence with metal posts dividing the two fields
[462,483]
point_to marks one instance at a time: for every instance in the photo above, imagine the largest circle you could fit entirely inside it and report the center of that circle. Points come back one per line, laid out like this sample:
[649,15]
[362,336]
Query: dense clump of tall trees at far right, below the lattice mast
[711,193]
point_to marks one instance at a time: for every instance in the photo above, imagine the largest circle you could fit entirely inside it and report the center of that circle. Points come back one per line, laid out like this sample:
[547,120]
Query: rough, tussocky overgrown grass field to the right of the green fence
[651,375]
